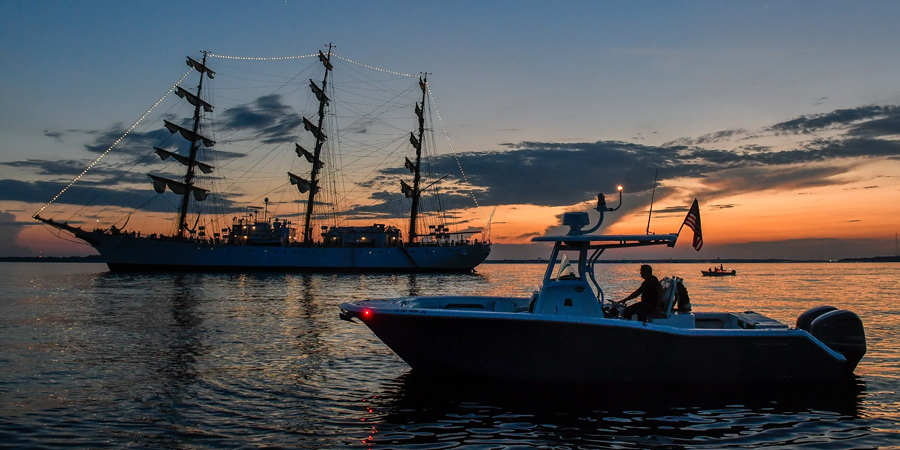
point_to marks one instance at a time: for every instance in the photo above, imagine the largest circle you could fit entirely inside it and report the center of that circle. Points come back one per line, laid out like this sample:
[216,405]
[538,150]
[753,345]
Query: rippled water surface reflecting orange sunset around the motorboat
[90,359]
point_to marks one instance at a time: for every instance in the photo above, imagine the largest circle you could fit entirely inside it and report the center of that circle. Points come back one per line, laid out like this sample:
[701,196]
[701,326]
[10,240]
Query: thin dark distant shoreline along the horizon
[99,259]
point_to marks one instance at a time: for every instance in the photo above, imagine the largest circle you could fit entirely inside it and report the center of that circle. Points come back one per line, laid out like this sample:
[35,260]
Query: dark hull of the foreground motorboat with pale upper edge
[552,348]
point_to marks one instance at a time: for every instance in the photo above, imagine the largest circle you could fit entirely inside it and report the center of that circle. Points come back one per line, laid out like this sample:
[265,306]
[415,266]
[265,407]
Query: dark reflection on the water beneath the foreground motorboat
[419,410]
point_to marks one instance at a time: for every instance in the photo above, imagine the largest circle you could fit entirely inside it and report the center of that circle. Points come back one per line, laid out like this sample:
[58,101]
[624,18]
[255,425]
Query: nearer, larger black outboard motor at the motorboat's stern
[842,331]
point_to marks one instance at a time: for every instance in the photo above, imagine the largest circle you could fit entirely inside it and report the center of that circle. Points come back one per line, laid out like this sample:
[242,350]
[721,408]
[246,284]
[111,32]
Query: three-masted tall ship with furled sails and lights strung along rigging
[302,158]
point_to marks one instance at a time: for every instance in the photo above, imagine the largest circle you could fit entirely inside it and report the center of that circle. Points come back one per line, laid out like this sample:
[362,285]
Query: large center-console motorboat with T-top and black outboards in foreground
[568,332]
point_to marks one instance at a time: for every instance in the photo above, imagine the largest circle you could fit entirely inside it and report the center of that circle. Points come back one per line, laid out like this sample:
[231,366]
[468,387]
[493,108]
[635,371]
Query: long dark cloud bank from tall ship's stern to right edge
[558,174]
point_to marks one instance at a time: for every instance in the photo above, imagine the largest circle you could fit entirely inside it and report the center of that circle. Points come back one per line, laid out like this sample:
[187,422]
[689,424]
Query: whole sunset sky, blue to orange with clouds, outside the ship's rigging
[781,117]
